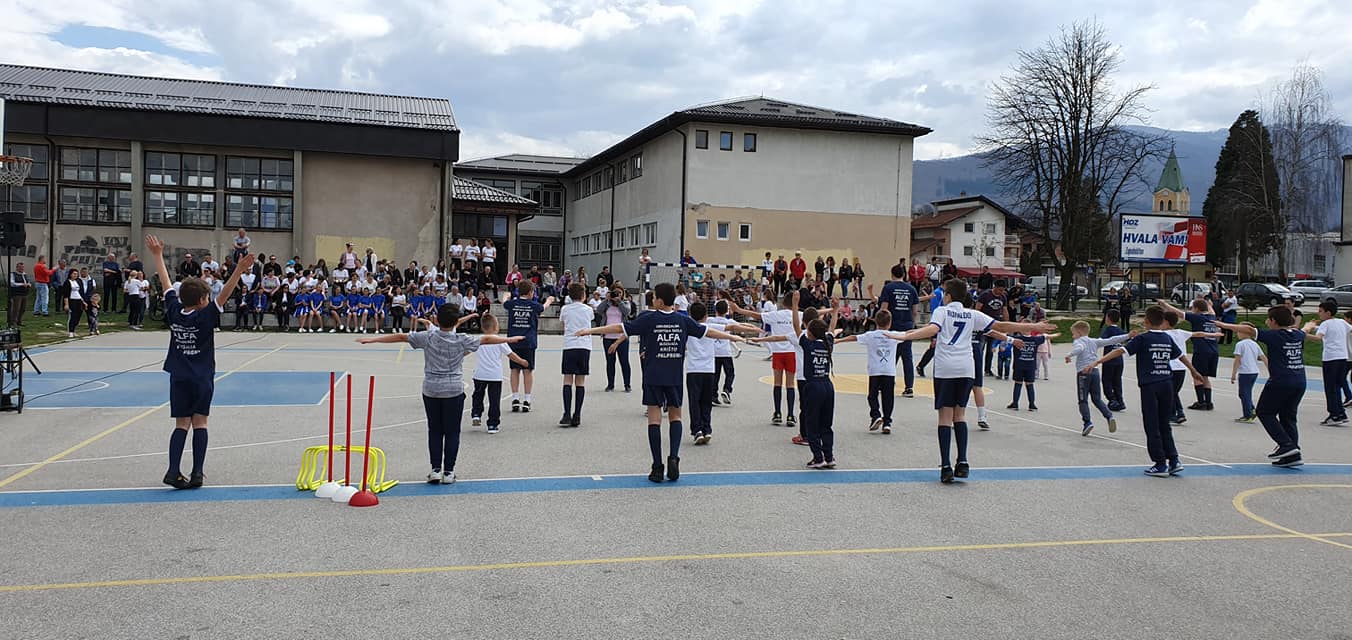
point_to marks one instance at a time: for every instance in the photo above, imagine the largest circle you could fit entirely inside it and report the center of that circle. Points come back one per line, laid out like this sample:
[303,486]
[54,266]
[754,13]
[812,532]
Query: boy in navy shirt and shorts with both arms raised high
[193,317]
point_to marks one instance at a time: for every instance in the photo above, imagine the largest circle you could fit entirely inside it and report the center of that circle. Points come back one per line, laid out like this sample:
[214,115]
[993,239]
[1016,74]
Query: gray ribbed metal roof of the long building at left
[34,85]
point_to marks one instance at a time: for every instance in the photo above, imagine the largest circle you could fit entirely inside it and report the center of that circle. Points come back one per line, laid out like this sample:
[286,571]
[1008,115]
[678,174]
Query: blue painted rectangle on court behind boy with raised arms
[148,389]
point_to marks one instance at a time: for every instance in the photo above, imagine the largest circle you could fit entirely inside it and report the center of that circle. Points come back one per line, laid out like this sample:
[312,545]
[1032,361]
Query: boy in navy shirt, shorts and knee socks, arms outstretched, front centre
[663,346]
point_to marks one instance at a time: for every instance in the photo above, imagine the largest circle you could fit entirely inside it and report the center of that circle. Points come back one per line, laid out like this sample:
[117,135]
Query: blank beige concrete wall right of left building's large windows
[390,205]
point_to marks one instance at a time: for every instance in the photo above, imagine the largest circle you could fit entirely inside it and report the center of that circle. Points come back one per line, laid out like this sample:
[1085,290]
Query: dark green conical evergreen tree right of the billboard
[1243,206]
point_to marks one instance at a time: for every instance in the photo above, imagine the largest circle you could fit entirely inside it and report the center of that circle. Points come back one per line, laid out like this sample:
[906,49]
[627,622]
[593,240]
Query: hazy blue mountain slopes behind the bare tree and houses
[1197,152]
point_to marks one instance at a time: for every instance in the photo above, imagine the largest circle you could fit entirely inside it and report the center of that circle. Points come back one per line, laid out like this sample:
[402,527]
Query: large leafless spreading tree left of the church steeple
[1061,150]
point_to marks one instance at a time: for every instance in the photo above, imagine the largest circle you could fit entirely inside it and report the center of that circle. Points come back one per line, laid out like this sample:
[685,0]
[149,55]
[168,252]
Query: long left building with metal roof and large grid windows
[304,171]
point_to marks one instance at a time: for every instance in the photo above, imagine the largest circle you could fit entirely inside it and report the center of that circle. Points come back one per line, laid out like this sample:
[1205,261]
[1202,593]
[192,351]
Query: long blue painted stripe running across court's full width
[11,500]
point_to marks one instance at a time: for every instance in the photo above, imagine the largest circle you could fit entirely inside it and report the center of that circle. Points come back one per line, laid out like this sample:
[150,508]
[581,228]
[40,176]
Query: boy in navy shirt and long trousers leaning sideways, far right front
[1285,389]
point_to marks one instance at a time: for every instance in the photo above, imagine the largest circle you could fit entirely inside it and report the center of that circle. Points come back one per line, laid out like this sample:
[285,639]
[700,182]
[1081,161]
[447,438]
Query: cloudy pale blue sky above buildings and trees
[543,76]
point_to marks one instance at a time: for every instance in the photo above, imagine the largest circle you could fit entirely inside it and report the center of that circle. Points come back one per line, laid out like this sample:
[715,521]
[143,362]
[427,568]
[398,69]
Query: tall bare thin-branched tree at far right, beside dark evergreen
[1307,145]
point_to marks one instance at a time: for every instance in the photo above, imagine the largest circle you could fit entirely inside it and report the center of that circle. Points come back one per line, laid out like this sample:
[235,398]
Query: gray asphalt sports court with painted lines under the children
[1055,534]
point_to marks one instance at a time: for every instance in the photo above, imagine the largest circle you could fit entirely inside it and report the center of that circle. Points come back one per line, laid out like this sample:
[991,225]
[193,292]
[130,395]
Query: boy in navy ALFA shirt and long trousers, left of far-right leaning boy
[1154,351]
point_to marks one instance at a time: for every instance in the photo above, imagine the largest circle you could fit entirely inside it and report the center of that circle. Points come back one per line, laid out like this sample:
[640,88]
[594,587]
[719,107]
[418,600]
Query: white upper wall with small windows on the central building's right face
[796,170]
